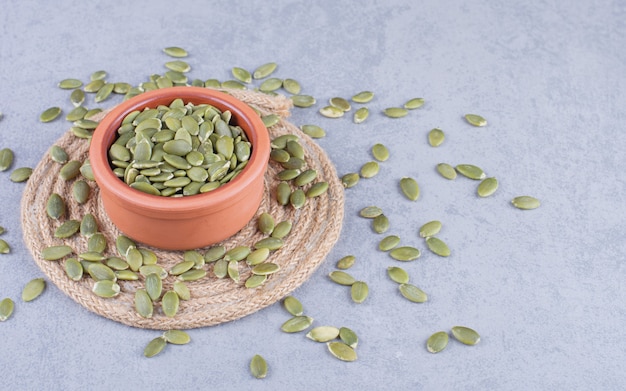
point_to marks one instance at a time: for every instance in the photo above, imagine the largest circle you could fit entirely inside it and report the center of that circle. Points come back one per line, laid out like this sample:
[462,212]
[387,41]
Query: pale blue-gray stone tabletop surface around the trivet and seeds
[545,288]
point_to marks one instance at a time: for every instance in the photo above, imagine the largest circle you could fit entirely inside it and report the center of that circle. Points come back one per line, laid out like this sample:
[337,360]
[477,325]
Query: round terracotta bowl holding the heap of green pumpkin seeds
[191,221]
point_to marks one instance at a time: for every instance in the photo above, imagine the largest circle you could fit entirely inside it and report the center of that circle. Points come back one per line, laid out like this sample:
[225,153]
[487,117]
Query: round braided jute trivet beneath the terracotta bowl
[316,228]
